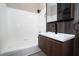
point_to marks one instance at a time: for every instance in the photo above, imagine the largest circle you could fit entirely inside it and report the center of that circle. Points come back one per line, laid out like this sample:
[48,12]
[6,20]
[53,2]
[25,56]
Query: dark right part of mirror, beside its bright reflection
[65,11]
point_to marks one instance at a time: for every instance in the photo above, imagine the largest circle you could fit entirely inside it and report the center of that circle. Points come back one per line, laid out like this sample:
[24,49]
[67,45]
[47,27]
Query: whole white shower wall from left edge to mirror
[18,25]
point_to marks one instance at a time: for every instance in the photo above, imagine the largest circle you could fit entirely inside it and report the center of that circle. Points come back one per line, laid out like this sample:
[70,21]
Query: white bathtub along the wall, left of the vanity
[20,48]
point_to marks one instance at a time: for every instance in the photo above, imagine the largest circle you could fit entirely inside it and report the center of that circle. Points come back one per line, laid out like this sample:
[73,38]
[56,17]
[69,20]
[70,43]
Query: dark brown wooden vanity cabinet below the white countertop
[52,47]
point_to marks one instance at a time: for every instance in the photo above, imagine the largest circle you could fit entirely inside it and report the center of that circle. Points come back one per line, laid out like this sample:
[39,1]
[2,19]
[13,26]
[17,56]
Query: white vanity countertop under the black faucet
[59,36]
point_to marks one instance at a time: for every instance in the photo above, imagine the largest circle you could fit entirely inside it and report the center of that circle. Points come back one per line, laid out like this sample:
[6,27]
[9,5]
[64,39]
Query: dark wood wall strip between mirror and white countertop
[62,27]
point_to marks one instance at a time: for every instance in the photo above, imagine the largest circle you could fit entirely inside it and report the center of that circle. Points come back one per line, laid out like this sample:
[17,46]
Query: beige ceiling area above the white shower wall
[32,7]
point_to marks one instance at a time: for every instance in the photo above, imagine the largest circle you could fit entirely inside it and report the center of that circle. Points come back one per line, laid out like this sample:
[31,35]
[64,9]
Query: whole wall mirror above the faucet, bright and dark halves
[60,12]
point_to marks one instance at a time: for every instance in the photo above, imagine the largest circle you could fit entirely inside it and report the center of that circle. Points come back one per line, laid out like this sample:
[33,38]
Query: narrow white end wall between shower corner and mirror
[42,21]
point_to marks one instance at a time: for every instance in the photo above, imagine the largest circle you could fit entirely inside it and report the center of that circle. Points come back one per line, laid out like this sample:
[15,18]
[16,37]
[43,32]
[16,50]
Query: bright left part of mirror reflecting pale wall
[51,12]
